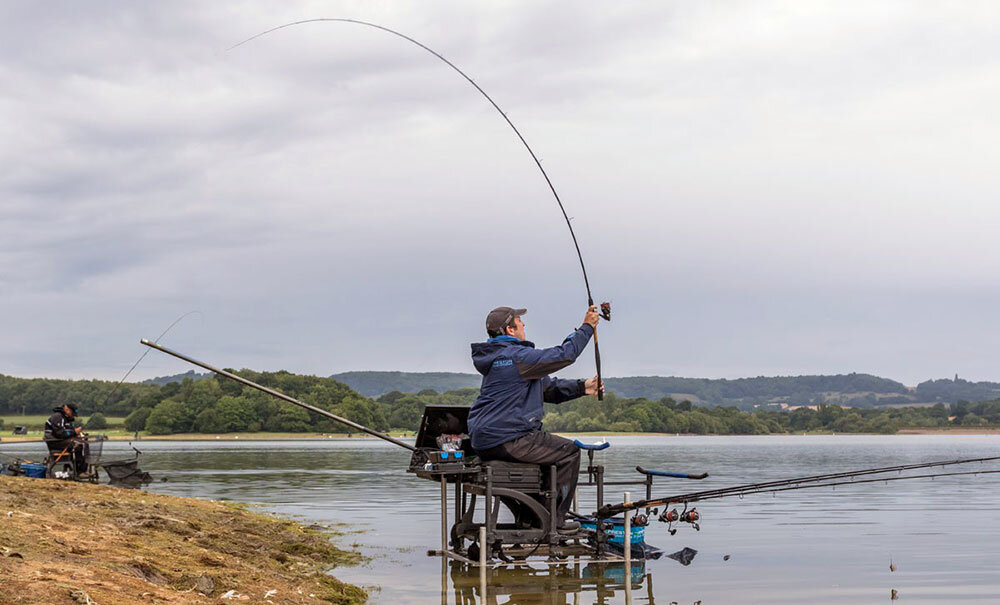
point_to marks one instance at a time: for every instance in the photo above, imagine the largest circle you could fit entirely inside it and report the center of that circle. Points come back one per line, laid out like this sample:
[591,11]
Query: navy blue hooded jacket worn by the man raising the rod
[516,382]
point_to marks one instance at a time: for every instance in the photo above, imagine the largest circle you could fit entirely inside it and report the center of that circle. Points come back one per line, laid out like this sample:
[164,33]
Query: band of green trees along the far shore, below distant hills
[213,405]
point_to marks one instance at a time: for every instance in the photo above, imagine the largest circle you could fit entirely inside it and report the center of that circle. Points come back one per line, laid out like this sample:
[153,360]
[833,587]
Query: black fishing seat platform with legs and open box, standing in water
[479,535]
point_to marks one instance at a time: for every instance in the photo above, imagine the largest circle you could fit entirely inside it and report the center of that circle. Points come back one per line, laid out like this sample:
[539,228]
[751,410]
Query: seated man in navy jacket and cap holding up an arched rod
[505,422]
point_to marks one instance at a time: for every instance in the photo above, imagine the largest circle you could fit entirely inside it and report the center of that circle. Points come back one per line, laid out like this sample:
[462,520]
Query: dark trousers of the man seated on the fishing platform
[544,449]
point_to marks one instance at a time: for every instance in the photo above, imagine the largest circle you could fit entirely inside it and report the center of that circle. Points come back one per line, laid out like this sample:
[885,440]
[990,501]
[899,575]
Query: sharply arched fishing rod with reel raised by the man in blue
[605,308]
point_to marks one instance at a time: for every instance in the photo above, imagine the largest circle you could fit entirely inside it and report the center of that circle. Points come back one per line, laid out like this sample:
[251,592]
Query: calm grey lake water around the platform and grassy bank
[813,546]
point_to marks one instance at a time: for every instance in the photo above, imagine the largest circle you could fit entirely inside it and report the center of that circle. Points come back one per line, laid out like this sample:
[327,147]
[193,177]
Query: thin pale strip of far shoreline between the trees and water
[403,435]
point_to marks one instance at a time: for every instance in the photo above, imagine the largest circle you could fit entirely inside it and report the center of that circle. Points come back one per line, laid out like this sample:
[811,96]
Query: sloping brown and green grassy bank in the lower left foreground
[72,544]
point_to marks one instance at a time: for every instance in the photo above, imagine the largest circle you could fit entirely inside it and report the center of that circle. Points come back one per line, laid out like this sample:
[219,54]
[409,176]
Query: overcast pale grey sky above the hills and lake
[760,188]
